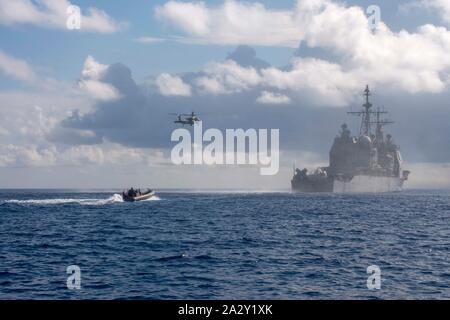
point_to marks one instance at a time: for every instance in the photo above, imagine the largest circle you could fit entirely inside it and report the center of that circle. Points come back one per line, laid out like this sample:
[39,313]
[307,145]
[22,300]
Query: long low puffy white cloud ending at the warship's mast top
[326,82]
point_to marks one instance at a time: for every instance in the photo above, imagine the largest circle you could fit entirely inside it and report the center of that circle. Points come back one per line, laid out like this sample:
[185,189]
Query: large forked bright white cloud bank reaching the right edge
[413,62]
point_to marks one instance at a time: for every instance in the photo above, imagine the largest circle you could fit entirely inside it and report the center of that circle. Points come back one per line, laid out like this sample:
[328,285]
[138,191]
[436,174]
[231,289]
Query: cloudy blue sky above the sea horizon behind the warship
[89,108]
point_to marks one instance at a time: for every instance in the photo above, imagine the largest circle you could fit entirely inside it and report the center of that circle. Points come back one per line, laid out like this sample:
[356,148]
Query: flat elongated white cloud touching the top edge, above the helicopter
[232,23]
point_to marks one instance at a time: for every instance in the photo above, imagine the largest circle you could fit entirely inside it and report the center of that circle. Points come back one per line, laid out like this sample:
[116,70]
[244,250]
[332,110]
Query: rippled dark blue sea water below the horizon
[224,245]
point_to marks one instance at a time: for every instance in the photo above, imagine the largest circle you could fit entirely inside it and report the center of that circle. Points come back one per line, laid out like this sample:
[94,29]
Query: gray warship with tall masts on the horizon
[368,163]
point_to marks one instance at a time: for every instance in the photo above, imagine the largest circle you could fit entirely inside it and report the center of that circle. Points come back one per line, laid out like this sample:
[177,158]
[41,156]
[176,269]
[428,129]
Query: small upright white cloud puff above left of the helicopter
[91,81]
